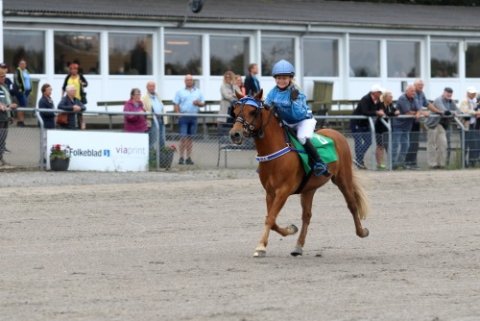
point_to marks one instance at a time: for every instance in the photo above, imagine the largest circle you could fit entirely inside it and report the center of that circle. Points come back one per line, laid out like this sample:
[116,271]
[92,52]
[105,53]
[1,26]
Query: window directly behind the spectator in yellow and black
[79,47]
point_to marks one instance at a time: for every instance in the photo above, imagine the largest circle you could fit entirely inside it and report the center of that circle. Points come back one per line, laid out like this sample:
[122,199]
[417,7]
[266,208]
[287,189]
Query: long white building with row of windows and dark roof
[122,44]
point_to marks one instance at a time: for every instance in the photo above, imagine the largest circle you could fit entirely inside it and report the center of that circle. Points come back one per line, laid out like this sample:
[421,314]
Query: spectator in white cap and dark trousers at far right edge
[472,138]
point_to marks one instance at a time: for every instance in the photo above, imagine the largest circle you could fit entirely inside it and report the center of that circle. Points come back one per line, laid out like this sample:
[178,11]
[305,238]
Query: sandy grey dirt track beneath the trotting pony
[178,246]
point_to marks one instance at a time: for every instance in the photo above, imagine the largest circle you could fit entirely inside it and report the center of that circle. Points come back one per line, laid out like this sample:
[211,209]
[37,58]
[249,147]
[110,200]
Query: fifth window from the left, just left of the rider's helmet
[228,53]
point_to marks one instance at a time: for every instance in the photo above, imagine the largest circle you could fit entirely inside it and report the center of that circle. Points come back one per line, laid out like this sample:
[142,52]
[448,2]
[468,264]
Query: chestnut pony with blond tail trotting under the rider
[282,176]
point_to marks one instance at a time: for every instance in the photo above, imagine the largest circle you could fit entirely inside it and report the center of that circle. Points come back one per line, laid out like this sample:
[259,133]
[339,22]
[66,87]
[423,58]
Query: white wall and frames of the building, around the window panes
[107,86]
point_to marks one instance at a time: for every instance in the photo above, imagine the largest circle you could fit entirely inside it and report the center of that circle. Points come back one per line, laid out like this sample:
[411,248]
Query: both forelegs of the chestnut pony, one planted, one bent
[274,205]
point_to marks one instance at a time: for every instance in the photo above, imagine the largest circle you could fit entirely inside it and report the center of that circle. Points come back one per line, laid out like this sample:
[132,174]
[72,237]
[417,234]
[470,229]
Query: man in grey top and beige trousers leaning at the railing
[436,129]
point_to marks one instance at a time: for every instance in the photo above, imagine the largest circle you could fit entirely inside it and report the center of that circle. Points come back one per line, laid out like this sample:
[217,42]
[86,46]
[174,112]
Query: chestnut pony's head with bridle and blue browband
[247,120]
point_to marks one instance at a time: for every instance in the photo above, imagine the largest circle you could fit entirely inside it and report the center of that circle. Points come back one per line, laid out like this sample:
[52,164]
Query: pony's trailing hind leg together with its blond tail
[356,200]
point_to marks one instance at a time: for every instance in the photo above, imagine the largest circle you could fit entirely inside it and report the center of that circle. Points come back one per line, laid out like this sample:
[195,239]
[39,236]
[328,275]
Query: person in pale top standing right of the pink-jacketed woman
[152,103]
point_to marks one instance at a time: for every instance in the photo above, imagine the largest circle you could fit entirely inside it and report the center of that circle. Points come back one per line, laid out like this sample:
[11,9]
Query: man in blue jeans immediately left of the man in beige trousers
[420,101]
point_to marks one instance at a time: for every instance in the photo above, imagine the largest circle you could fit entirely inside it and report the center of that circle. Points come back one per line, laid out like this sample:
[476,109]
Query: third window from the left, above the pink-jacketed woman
[130,54]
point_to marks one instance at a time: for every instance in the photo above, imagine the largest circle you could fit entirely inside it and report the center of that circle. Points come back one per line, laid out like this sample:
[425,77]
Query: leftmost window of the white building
[23,44]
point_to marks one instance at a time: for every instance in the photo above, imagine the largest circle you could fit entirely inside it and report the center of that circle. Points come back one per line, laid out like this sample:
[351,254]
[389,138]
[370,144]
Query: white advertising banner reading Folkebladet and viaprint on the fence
[99,151]
